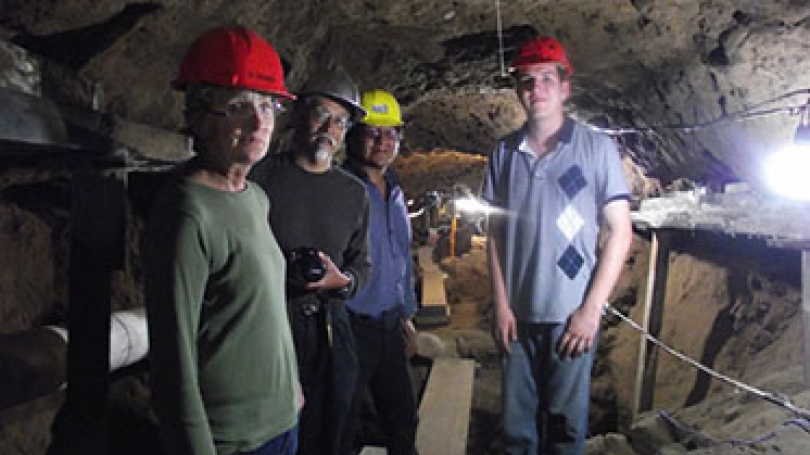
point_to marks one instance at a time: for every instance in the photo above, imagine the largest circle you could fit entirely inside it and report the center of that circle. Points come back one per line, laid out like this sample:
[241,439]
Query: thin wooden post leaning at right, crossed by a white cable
[651,321]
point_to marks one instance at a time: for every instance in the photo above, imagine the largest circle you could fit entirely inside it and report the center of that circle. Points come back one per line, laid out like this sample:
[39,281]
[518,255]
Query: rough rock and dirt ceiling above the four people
[692,75]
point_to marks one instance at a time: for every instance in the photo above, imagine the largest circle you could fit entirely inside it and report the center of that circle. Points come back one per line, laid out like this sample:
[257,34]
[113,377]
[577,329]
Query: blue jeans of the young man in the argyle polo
[545,397]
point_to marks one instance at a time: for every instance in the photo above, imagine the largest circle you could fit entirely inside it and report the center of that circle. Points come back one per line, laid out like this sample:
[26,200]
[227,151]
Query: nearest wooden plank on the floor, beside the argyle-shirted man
[444,412]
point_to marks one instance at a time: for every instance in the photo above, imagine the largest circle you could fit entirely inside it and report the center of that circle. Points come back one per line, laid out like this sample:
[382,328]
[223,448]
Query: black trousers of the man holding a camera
[327,366]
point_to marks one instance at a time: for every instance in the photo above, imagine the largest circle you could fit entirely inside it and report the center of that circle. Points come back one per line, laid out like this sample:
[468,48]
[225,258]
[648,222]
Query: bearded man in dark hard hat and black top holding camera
[319,214]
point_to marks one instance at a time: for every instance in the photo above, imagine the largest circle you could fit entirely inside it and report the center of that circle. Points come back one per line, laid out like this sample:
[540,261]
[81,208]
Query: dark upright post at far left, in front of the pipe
[98,222]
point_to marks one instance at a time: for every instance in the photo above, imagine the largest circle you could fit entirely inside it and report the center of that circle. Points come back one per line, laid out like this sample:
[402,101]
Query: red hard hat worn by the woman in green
[233,57]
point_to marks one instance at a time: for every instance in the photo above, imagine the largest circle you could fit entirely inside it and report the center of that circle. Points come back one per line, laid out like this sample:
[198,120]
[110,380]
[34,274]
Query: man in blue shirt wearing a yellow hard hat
[381,313]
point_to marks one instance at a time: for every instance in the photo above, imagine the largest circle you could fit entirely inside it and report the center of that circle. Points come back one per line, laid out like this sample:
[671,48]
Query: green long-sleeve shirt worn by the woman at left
[223,365]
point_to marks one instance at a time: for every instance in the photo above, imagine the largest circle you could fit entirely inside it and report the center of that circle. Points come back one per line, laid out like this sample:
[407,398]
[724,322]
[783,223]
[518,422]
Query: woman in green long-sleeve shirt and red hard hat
[224,375]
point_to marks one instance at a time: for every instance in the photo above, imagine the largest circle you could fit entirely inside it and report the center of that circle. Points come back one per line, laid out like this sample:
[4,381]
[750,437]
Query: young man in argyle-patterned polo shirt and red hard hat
[558,185]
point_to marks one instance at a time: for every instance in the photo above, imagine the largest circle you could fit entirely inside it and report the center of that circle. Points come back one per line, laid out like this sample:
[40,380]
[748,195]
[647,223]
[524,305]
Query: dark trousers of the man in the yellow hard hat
[384,372]
